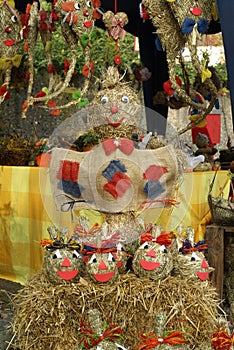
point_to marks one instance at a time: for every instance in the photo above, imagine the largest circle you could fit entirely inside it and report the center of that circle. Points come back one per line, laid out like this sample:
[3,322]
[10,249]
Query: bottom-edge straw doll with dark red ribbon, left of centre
[98,334]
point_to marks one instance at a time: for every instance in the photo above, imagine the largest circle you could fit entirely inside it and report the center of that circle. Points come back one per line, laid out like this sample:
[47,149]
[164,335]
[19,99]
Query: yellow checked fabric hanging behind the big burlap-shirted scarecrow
[27,209]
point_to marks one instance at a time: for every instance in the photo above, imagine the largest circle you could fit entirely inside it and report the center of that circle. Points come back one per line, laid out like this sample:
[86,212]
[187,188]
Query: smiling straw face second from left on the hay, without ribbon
[102,267]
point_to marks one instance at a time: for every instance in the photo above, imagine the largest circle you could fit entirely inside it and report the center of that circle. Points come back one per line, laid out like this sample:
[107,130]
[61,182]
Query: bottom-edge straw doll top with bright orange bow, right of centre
[162,338]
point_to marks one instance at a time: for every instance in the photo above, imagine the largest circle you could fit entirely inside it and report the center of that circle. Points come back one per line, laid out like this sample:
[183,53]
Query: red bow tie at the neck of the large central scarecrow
[125,145]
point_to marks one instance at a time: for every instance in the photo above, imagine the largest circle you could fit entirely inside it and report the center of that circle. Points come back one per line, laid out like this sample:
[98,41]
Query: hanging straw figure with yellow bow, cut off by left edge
[11,40]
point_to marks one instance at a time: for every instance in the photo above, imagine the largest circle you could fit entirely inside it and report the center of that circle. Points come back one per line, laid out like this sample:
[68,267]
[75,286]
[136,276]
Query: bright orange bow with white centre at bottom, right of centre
[151,340]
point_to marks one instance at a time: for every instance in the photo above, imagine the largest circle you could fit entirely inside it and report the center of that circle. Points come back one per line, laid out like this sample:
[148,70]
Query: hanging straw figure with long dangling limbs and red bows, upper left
[76,23]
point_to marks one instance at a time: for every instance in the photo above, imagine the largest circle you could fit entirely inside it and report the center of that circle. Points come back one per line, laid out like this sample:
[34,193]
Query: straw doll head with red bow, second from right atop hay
[153,259]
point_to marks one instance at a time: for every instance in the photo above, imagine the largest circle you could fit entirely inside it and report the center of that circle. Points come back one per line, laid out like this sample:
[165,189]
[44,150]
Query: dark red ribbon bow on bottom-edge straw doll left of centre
[111,332]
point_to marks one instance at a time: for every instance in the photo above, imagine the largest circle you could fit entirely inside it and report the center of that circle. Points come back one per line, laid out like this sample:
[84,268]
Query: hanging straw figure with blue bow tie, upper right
[176,24]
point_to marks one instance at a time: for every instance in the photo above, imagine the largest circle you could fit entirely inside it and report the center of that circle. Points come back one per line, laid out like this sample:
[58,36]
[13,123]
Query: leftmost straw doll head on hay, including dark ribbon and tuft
[63,263]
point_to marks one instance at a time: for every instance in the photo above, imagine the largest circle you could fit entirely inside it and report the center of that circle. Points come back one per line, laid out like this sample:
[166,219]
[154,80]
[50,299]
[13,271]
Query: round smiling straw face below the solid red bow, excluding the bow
[152,260]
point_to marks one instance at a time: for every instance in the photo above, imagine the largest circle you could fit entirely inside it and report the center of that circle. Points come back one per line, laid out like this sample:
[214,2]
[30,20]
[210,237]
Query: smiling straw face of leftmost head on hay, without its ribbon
[63,266]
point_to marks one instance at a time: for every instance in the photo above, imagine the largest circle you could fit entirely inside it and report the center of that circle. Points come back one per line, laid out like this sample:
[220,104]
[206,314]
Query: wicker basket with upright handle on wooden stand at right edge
[222,210]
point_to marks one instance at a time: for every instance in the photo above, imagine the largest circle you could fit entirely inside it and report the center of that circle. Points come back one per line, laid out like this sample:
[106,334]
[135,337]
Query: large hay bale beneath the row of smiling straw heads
[48,316]
